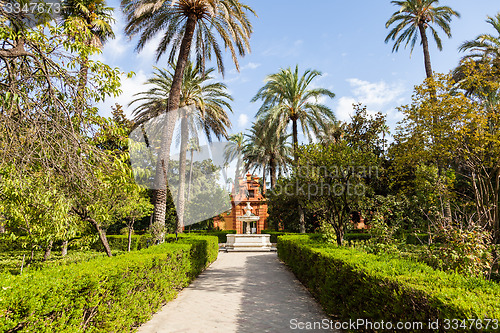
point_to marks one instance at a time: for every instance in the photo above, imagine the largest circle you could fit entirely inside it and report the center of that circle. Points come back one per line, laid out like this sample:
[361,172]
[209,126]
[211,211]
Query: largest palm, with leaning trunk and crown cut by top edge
[185,21]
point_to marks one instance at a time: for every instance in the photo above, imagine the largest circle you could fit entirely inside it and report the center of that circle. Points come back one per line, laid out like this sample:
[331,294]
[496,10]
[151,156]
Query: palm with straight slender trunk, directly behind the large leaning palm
[208,103]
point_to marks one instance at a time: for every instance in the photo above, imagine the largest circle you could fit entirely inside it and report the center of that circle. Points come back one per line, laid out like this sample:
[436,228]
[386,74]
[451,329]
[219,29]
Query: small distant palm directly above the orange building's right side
[267,150]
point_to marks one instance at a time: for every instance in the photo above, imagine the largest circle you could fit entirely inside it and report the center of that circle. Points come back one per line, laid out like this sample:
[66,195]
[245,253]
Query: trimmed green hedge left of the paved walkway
[102,295]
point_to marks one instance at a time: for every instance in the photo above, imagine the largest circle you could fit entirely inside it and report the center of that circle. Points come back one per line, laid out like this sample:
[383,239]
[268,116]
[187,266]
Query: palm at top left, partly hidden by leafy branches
[91,19]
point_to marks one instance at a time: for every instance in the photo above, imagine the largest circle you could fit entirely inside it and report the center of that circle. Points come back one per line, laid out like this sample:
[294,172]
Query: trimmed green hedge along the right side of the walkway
[352,284]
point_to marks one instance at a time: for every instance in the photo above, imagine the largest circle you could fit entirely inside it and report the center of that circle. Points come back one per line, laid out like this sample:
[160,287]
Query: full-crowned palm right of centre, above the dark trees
[286,97]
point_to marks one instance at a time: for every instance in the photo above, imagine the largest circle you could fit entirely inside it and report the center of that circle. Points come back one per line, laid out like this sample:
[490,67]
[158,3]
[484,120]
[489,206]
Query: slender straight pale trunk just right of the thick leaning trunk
[181,199]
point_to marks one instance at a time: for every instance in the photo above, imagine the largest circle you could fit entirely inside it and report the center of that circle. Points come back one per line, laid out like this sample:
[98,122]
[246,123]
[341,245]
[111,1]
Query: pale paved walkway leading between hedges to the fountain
[242,292]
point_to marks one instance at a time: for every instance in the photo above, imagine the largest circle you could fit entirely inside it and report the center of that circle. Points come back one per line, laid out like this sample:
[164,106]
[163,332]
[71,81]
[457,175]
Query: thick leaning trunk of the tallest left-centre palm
[173,104]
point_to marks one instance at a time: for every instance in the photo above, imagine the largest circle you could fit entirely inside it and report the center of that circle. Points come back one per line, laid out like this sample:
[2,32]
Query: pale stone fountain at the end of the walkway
[249,241]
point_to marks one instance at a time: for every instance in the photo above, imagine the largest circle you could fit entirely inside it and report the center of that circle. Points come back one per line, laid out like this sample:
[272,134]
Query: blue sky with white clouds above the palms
[344,40]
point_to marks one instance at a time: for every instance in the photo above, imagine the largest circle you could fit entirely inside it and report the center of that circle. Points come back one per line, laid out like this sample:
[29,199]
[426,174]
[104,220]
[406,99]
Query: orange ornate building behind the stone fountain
[247,190]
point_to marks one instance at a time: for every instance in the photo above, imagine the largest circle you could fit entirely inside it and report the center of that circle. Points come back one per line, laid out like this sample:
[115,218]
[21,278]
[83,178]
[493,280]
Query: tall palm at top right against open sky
[413,18]
